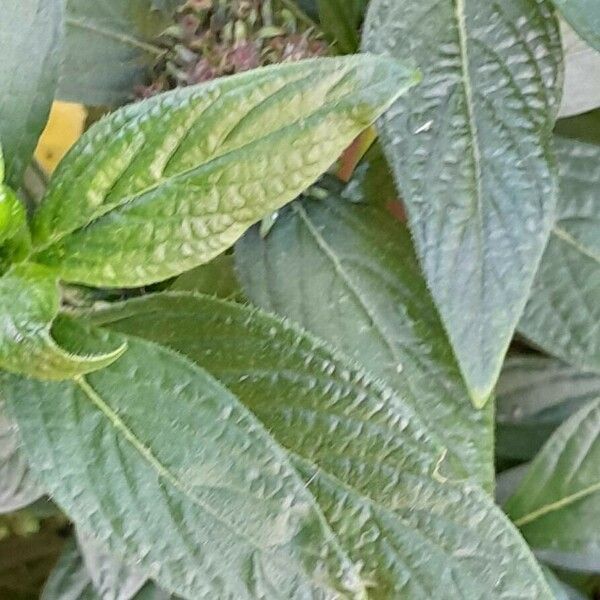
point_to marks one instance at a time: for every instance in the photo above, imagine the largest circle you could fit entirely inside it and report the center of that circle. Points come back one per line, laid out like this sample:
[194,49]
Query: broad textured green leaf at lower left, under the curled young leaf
[178,477]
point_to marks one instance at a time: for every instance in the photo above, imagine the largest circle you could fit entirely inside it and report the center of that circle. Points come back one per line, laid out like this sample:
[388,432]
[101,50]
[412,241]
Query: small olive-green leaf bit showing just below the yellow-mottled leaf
[216,278]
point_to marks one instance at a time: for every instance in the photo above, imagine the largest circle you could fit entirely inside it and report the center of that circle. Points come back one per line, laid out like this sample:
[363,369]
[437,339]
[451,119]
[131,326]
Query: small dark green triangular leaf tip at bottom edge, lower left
[70,579]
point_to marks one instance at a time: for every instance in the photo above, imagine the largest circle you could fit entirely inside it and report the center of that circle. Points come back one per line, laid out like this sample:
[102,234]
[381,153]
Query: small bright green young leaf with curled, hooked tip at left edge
[29,297]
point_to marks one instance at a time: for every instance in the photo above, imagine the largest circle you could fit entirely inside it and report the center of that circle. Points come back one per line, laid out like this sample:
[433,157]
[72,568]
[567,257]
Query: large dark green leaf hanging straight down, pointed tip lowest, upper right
[471,154]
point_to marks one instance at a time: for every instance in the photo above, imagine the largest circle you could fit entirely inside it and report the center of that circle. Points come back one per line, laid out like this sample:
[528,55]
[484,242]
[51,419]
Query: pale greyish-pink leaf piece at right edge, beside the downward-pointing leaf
[581,90]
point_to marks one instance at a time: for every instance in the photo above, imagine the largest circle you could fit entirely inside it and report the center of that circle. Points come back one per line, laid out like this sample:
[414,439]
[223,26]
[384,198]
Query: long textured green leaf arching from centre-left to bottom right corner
[385,485]
